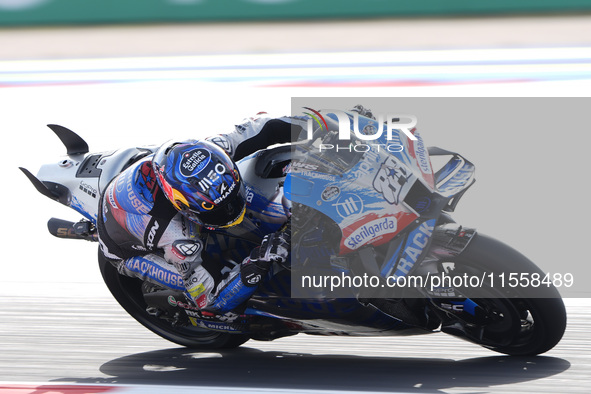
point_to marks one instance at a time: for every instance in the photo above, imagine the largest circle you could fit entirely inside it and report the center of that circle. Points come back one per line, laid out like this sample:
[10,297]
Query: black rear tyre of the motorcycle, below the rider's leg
[128,293]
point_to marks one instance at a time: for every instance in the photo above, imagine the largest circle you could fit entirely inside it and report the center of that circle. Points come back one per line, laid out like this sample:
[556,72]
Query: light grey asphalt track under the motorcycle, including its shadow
[92,341]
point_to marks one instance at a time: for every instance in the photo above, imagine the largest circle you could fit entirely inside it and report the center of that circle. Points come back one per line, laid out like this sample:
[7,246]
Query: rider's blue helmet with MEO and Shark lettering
[201,181]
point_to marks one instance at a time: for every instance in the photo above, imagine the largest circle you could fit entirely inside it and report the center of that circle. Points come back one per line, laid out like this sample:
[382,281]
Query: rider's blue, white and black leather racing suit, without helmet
[144,236]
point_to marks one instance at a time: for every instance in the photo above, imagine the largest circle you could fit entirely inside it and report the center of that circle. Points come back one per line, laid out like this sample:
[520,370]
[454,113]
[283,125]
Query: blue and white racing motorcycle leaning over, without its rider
[356,212]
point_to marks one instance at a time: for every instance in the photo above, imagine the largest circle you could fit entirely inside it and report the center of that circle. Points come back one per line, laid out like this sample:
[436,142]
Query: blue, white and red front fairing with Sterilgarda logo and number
[379,192]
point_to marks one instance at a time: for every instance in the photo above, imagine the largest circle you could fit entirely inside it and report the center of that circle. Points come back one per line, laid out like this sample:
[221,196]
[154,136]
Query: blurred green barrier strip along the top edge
[44,12]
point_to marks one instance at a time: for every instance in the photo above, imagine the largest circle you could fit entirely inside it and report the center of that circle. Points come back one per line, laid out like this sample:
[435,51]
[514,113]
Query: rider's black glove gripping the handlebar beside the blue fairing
[273,249]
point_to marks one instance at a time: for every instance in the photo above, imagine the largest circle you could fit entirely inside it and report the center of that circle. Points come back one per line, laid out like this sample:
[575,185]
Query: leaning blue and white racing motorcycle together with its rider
[181,225]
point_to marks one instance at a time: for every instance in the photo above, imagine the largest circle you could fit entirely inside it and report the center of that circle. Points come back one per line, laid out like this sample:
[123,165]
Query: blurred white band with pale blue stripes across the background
[435,66]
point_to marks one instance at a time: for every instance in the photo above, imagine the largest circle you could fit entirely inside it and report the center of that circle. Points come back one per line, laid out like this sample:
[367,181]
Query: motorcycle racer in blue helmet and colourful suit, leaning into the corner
[157,215]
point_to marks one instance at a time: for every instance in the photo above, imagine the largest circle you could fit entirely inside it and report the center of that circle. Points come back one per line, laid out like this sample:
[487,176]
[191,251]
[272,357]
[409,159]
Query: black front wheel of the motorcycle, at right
[516,323]
